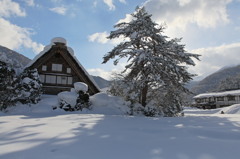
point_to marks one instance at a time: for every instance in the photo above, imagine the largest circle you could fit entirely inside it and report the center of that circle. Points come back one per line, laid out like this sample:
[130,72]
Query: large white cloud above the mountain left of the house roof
[13,37]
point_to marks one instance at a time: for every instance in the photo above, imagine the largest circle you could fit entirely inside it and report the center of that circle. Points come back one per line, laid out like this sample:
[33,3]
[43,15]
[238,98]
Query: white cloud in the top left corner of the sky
[9,8]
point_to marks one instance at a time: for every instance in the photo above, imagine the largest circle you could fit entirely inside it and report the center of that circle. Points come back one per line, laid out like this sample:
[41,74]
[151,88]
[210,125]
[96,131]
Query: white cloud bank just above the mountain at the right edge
[214,58]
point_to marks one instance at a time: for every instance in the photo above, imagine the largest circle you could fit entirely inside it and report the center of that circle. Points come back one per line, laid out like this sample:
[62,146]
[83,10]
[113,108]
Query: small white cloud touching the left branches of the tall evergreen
[102,38]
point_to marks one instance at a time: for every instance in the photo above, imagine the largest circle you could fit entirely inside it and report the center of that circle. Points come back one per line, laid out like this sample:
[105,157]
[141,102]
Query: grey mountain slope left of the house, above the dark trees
[12,57]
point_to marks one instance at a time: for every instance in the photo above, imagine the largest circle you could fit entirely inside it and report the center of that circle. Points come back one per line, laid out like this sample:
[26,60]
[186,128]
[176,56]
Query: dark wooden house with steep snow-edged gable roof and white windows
[59,69]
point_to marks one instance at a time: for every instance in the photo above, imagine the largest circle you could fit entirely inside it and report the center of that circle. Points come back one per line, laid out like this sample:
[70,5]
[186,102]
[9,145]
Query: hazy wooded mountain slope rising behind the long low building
[211,82]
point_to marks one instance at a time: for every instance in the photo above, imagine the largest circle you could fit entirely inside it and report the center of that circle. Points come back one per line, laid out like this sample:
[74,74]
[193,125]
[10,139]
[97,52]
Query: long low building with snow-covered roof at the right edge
[217,99]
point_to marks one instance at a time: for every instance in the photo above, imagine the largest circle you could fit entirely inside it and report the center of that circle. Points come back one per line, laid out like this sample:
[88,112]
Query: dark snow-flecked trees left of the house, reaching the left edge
[25,87]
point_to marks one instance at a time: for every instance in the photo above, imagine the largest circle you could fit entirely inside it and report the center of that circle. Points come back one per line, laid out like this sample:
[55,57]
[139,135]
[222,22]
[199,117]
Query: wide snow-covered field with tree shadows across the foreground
[41,133]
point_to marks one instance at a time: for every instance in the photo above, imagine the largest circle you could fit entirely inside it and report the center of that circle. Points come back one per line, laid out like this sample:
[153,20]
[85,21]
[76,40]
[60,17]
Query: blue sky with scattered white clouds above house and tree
[210,28]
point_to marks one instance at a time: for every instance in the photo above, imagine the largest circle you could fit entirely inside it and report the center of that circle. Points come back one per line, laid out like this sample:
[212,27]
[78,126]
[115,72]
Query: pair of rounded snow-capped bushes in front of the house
[76,99]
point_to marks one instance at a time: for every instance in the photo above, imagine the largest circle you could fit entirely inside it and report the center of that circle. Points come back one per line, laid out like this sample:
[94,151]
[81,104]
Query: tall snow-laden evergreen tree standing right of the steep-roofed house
[154,62]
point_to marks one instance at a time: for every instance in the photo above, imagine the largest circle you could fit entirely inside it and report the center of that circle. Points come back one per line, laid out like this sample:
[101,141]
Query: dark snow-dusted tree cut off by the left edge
[7,94]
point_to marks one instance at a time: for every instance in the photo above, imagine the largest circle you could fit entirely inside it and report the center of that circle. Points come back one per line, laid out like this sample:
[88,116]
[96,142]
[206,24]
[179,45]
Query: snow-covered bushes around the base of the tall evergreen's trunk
[164,101]
